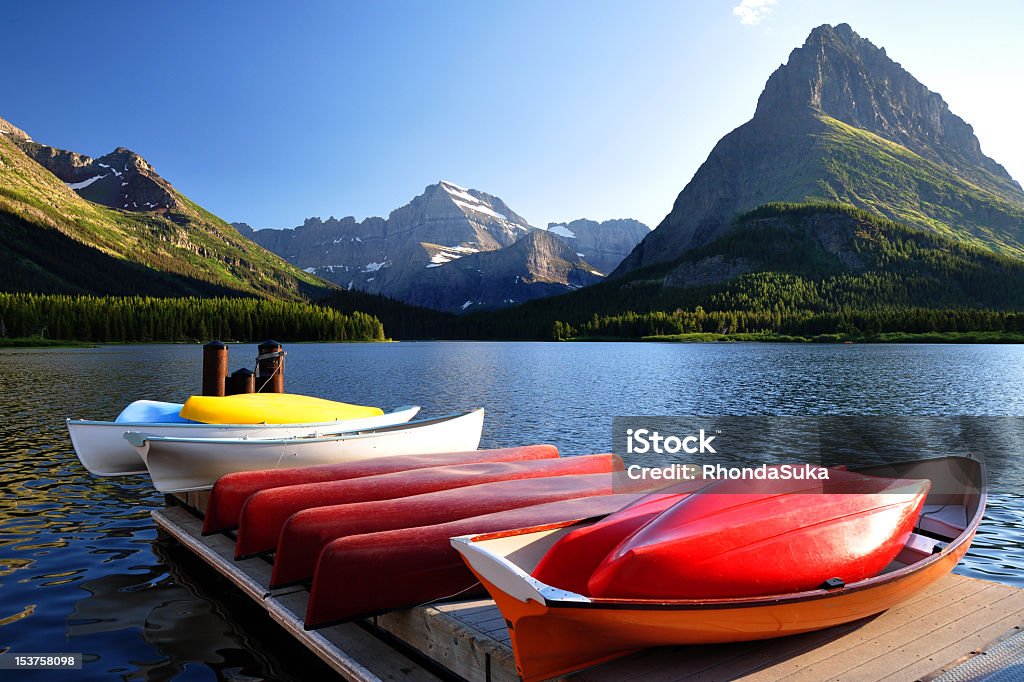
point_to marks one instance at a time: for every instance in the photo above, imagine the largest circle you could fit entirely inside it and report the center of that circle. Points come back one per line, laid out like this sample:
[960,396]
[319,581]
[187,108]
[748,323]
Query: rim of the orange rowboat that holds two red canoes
[576,601]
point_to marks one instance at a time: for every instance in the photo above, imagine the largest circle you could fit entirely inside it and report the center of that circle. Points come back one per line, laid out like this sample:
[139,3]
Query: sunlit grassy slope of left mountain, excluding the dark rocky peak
[55,241]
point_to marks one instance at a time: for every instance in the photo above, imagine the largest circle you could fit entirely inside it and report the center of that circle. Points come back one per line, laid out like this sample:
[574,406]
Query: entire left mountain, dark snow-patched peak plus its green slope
[112,226]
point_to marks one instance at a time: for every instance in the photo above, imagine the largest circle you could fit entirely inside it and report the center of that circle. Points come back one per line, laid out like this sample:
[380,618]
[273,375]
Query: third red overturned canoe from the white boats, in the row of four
[308,532]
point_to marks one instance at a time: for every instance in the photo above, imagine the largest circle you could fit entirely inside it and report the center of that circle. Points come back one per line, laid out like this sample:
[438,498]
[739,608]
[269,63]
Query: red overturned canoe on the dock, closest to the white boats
[232,491]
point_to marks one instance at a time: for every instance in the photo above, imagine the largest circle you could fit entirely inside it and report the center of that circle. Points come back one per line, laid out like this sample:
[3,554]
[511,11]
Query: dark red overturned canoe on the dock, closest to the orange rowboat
[379,572]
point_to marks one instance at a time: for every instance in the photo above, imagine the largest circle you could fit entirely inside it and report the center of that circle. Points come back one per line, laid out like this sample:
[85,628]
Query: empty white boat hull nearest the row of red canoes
[191,464]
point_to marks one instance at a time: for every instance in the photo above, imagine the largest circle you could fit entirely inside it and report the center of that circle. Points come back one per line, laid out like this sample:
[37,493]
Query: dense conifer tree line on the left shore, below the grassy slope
[141,319]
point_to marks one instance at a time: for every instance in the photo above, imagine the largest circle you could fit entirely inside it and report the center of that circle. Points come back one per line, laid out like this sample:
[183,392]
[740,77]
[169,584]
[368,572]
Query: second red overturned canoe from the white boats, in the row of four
[266,513]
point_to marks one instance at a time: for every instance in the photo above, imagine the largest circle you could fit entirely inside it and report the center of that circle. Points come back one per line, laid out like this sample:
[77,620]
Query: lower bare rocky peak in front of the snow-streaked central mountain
[538,266]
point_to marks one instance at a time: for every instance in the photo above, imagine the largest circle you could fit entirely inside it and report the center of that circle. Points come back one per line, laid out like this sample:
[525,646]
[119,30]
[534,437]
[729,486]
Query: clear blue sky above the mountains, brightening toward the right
[272,112]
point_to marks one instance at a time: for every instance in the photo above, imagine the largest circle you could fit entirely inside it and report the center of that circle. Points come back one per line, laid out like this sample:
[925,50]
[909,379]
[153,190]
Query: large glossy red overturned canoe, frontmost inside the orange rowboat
[745,539]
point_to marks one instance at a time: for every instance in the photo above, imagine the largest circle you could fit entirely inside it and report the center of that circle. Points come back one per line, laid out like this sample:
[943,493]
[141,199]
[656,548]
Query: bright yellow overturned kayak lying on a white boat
[272,409]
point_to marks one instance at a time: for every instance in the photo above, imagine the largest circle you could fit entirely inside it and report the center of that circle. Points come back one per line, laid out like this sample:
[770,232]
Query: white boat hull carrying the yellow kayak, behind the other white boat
[102,448]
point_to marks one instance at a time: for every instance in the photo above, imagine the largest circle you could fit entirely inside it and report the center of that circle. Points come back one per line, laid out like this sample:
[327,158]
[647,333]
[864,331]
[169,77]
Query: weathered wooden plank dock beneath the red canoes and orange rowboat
[933,633]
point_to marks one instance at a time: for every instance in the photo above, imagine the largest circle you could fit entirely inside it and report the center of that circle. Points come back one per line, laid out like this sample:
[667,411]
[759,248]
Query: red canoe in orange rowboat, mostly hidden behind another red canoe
[572,561]
